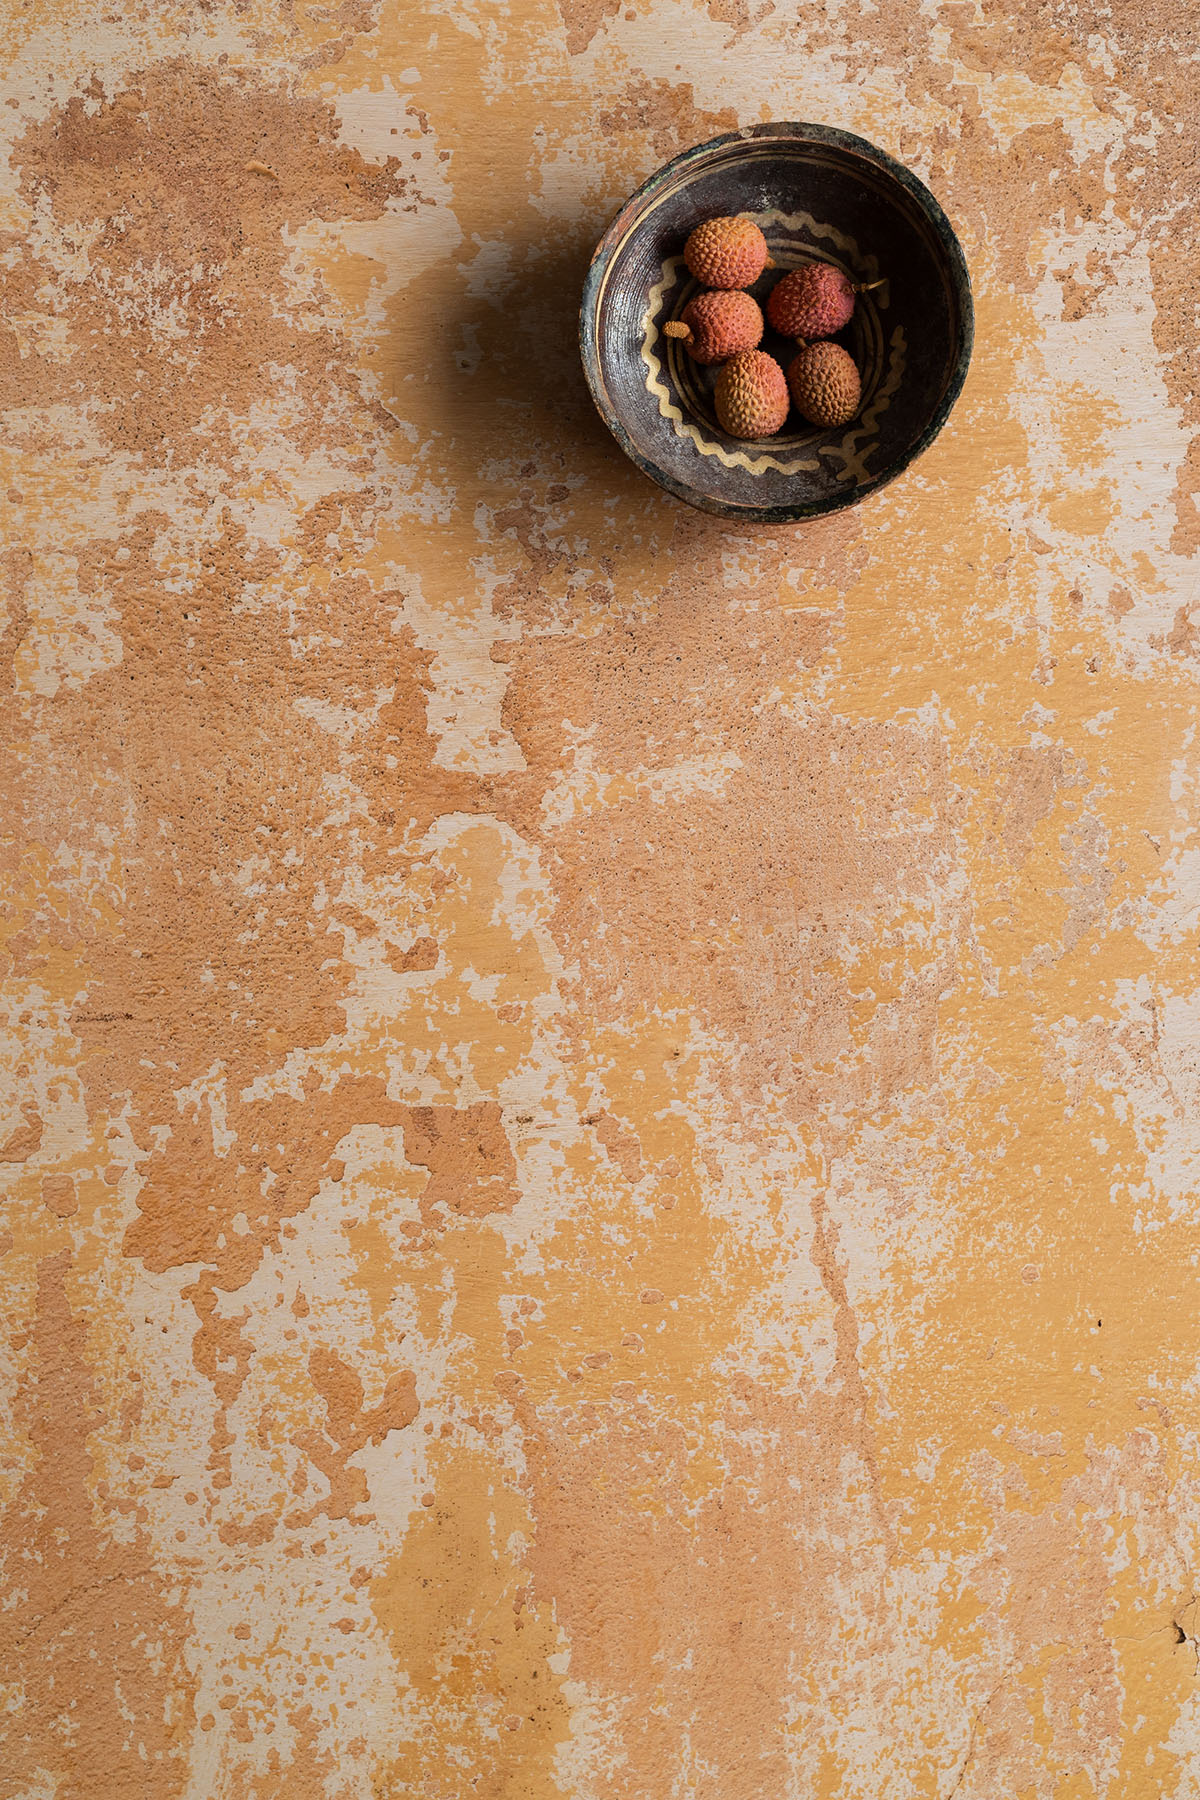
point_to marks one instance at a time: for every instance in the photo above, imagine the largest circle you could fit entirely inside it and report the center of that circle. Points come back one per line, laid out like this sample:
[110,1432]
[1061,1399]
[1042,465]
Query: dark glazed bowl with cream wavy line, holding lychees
[818,193]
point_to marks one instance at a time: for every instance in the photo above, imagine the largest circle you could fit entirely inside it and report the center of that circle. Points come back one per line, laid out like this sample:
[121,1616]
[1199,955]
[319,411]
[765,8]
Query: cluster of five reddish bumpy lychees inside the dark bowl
[726,327]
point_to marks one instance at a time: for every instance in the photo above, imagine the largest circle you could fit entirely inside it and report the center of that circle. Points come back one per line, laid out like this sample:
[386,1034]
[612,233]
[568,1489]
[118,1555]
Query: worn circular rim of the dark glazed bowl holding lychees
[960,280]
